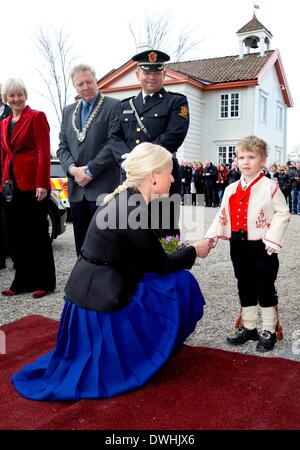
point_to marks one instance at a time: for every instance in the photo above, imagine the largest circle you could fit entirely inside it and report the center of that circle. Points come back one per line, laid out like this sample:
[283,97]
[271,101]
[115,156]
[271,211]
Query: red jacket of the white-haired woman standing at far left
[31,142]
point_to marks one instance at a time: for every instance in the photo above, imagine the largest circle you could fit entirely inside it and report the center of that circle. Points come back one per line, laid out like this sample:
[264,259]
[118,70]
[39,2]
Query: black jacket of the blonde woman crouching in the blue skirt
[115,256]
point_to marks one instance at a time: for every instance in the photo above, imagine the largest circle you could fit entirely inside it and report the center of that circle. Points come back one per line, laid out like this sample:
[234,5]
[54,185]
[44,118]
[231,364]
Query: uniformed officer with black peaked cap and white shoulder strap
[161,117]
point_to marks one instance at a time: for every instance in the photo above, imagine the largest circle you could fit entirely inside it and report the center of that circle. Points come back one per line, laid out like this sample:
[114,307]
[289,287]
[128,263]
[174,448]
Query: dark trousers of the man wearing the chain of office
[82,213]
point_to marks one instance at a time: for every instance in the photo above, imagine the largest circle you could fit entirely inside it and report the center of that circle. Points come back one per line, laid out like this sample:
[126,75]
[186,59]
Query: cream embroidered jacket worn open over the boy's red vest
[268,214]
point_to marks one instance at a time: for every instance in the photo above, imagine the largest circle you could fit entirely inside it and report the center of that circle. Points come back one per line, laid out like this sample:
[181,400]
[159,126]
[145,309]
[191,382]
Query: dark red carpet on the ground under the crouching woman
[199,389]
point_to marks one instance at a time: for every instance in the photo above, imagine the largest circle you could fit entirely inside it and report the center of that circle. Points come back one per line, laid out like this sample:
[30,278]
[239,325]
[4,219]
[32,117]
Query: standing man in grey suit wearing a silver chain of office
[84,151]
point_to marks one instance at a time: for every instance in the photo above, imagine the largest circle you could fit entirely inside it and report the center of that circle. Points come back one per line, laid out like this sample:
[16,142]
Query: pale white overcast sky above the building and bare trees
[100,36]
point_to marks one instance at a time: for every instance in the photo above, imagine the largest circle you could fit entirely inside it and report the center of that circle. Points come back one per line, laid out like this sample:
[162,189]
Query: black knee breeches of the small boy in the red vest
[256,272]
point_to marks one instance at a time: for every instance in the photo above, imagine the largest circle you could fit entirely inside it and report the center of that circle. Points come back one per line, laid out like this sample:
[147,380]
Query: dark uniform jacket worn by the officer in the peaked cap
[166,117]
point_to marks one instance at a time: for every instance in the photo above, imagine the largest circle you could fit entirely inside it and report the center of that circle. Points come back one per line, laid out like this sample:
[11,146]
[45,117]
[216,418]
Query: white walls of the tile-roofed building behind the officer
[208,131]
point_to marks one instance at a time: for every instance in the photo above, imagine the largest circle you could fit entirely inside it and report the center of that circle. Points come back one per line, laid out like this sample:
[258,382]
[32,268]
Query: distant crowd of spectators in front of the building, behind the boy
[211,180]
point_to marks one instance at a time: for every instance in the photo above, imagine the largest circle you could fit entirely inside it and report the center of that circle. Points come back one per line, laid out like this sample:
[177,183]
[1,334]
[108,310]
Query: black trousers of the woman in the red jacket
[30,243]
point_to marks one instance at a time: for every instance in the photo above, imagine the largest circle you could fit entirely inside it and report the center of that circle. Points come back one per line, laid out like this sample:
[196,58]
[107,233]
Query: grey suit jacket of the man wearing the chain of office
[94,152]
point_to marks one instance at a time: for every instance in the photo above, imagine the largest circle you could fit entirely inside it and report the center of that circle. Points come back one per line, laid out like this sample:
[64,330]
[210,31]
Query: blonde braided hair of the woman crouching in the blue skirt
[144,159]
